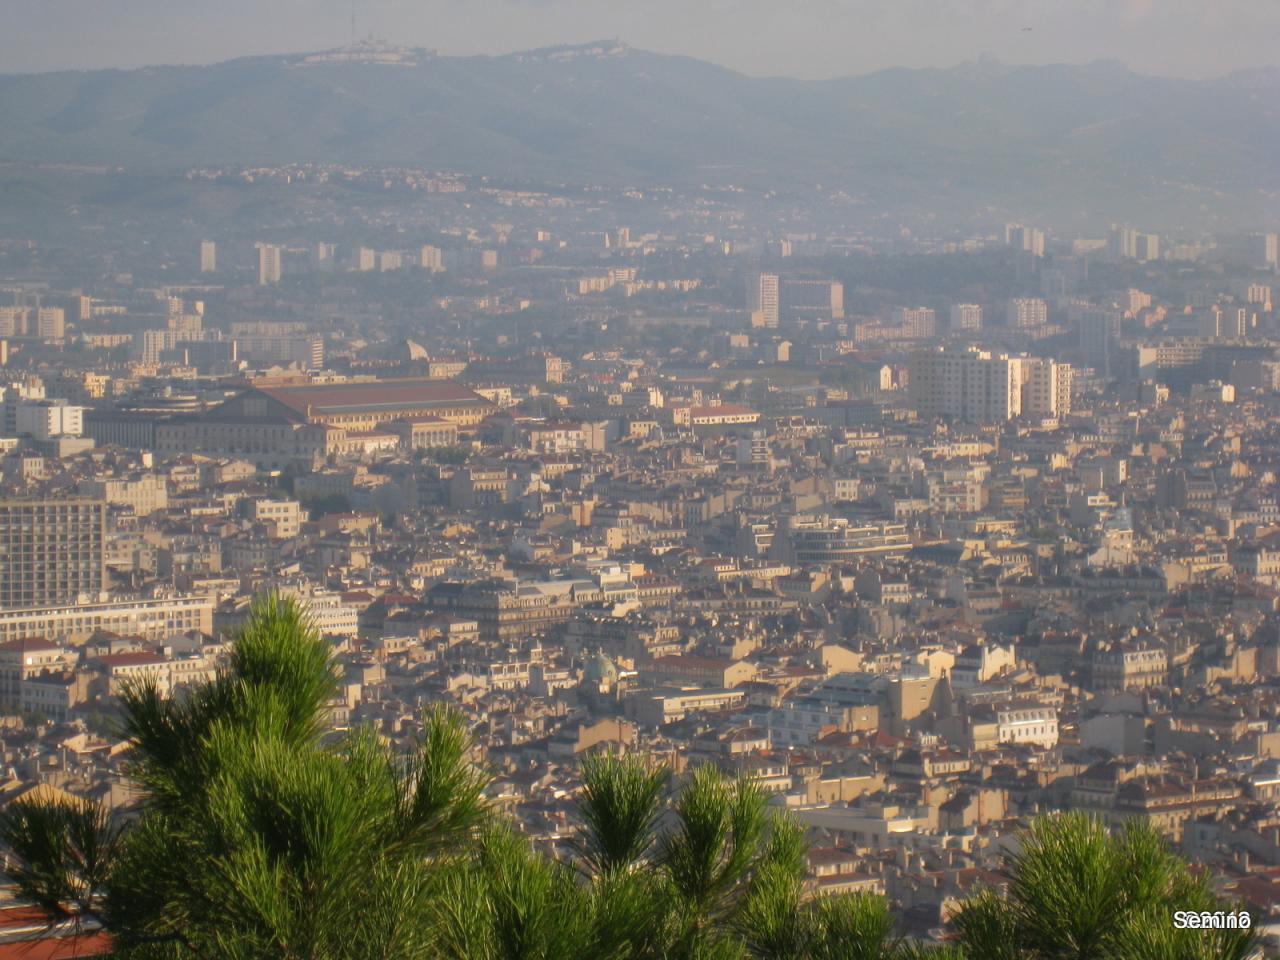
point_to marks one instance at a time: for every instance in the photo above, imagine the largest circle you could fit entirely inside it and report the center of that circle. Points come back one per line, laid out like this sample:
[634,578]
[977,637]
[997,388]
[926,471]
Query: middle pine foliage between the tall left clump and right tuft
[706,875]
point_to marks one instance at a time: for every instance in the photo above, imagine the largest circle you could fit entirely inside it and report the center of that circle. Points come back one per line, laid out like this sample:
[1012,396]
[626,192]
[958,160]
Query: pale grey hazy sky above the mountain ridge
[793,38]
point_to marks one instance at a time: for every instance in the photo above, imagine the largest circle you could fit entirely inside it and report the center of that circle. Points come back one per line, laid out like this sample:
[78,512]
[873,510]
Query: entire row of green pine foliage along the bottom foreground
[260,838]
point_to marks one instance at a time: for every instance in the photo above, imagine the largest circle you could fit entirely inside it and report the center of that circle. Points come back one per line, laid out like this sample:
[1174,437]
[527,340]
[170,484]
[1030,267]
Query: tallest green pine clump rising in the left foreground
[255,839]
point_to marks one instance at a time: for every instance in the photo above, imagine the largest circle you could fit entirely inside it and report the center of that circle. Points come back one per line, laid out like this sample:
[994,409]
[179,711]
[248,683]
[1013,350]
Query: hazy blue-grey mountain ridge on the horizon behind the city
[1082,143]
